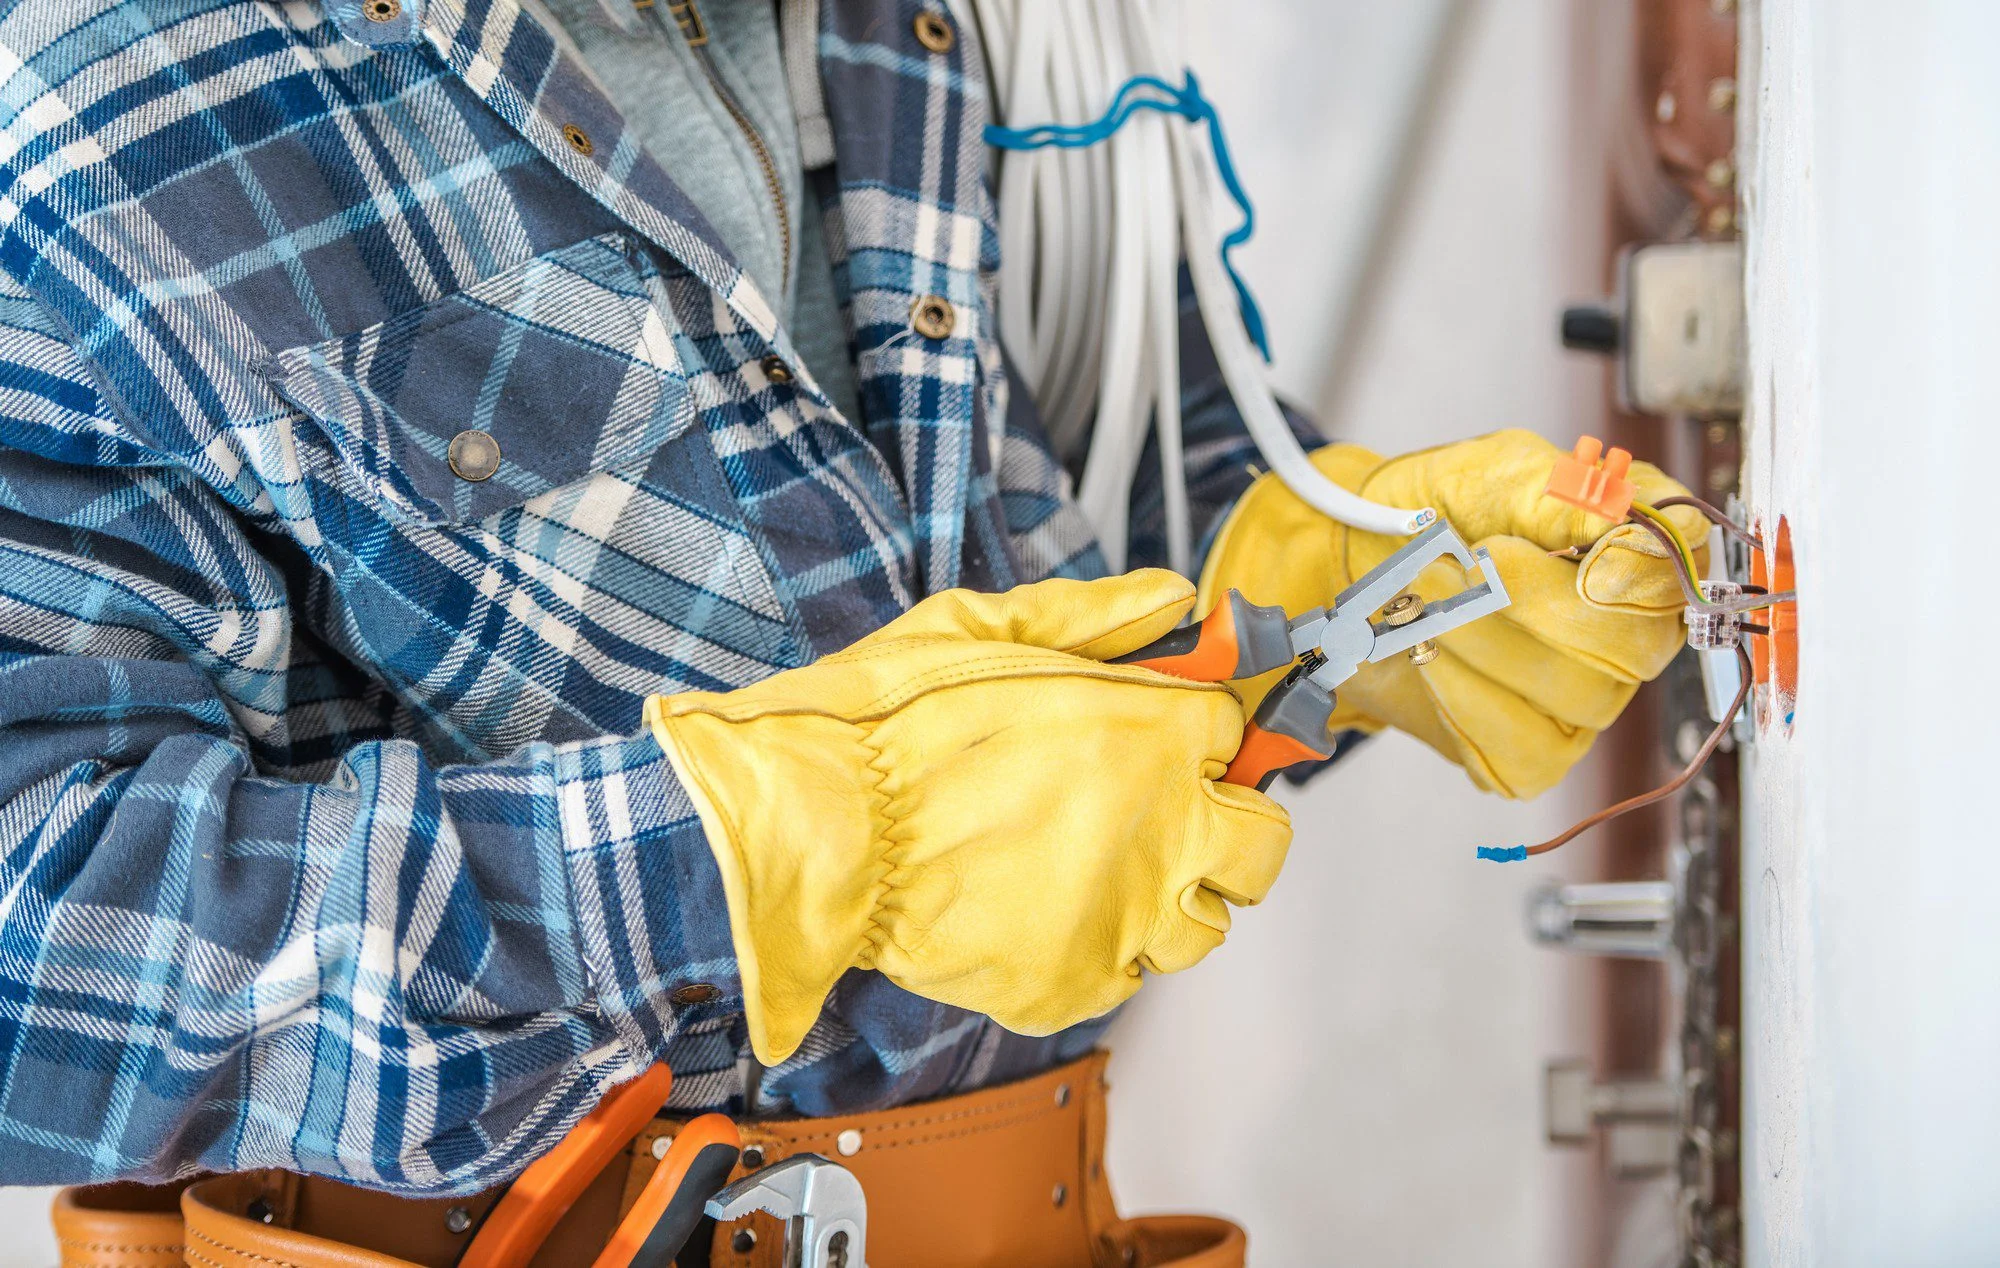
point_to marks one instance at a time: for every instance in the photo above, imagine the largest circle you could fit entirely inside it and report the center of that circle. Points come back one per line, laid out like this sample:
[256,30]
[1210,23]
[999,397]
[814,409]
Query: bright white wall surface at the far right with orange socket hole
[1871,873]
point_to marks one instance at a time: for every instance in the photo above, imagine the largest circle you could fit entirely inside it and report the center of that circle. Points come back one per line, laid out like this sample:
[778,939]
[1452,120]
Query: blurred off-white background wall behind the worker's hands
[1357,1073]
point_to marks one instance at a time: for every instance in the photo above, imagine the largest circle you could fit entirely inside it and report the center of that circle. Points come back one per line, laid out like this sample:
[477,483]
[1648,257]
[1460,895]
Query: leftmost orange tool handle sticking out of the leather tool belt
[545,1193]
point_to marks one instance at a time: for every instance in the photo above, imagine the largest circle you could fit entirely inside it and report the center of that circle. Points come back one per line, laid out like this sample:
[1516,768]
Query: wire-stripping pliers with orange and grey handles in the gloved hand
[1329,645]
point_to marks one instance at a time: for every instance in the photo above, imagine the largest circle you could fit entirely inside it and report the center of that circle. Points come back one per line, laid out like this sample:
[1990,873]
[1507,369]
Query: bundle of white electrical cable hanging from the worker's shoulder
[1091,241]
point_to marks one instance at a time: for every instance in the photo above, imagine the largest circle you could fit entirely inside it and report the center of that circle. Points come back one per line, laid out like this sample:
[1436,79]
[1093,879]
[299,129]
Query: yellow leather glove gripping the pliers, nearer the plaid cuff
[975,805]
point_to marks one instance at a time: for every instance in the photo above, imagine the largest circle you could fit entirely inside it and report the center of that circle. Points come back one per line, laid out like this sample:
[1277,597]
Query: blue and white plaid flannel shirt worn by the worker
[327,839]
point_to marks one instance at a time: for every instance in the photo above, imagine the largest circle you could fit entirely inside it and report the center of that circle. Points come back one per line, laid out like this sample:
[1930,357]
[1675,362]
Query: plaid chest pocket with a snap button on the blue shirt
[541,375]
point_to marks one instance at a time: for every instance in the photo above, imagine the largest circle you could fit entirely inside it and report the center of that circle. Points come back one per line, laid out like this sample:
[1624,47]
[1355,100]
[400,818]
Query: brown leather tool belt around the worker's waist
[1009,1175]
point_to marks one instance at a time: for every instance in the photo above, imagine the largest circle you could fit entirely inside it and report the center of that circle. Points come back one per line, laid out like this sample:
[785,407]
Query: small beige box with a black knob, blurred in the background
[1677,329]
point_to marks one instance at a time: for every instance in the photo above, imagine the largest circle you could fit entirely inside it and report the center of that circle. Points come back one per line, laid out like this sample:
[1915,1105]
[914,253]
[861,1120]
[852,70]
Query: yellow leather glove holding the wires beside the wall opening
[1517,697]
